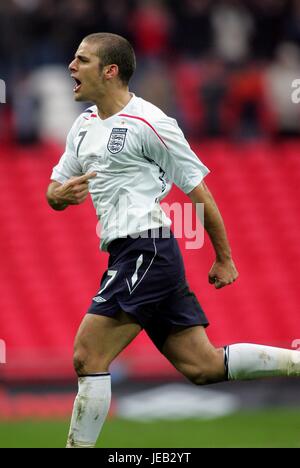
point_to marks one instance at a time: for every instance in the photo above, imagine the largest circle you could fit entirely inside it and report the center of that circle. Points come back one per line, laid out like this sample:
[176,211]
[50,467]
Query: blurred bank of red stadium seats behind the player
[50,265]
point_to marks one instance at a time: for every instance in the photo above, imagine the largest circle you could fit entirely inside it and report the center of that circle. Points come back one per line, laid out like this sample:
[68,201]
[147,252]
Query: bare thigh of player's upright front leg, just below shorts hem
[105,337]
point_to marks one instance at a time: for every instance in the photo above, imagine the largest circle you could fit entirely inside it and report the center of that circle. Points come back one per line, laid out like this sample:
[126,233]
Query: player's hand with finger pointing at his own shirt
[75,190]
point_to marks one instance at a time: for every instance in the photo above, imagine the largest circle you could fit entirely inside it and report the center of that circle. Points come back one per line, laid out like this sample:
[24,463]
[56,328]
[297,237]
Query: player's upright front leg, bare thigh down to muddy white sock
[99,340]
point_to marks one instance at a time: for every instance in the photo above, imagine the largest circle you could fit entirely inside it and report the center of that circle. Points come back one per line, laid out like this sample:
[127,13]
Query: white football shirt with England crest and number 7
[137,153]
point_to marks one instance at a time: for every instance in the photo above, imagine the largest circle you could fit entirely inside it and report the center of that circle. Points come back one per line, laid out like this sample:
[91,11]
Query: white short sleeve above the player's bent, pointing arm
[68,165]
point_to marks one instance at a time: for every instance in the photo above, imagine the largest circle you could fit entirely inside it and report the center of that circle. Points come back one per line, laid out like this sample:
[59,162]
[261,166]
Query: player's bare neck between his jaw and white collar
[113,102]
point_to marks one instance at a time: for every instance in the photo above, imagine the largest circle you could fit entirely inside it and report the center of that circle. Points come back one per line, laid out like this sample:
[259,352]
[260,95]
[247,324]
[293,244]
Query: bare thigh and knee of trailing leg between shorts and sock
[191,352]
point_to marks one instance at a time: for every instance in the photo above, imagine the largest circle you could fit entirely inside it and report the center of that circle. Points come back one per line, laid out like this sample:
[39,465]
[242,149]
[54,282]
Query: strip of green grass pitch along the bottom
[268,428]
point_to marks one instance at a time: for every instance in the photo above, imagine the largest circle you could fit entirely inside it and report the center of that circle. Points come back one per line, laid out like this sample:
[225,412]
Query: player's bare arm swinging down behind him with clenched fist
[223,271]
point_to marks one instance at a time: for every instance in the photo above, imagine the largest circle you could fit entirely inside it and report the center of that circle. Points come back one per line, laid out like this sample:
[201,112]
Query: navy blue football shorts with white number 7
[146,279]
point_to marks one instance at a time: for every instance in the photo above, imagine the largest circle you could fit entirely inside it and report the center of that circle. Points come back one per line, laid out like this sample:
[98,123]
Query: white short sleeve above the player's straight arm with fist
[165,143]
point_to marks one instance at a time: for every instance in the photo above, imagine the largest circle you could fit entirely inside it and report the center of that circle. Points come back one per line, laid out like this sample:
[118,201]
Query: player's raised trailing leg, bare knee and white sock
[191,352]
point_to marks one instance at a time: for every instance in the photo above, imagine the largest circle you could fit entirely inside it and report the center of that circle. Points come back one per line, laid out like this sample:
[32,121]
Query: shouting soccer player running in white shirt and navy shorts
[126,148]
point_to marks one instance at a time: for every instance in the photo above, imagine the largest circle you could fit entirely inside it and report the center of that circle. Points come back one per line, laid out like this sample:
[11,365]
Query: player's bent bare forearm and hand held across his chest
[72,192]
